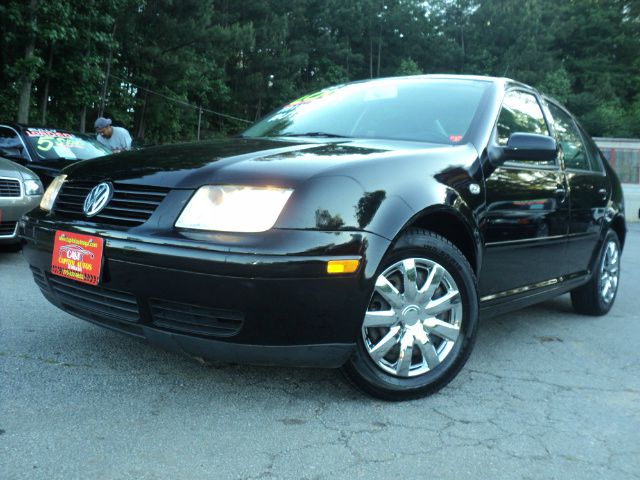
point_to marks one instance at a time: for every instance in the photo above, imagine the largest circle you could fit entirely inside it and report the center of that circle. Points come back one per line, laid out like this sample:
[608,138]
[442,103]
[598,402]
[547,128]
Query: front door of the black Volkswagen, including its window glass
[525,222]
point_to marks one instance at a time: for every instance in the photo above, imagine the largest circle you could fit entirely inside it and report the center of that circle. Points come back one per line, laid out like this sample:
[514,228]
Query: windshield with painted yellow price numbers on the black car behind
[54,144]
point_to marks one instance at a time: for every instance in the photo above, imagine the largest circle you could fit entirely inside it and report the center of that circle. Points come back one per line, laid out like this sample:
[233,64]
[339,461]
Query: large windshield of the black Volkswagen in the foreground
[418,109]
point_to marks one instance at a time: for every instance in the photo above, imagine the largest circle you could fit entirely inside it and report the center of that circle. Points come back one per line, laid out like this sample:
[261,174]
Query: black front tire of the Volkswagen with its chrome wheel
[421,320]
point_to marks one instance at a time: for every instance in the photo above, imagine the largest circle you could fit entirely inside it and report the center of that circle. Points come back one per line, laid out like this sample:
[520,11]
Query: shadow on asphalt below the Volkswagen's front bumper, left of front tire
[101,352]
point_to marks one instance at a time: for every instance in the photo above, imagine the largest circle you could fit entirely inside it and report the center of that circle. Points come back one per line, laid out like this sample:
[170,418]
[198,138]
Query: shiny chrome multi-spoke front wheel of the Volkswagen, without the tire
[414,317]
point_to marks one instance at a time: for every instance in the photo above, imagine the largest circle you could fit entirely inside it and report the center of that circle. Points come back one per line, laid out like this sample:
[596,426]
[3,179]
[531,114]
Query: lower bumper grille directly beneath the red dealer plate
[99,302]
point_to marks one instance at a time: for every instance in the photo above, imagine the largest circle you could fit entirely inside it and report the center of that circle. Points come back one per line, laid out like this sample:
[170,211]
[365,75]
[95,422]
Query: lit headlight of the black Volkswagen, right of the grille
[234,208]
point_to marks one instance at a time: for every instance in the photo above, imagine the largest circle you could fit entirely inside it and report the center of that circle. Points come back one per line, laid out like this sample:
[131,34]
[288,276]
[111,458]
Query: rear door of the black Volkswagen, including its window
[588,188]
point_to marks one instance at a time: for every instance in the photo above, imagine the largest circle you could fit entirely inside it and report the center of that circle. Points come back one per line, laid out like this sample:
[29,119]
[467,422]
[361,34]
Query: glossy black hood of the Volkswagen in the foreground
[250,161]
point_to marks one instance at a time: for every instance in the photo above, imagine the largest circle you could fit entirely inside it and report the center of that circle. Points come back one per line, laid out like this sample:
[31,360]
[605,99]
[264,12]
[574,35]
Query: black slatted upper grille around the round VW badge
[130,206]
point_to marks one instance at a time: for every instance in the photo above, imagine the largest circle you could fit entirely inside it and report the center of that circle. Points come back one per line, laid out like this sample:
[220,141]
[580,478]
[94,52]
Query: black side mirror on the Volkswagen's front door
[524,147]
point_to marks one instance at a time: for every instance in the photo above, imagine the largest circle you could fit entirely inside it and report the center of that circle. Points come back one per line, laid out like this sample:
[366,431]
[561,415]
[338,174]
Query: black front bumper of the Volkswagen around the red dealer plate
[261,299]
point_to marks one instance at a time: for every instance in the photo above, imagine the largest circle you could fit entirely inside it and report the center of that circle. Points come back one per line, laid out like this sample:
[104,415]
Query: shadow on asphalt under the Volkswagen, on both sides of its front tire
[97,352]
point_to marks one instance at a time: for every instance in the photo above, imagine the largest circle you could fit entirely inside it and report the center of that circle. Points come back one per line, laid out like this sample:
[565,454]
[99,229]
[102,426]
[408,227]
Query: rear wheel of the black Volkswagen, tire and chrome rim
[597,296]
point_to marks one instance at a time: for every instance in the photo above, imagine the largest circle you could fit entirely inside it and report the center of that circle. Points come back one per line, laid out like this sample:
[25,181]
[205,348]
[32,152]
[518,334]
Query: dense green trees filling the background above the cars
[161,60]
